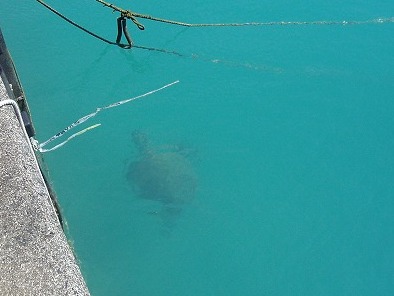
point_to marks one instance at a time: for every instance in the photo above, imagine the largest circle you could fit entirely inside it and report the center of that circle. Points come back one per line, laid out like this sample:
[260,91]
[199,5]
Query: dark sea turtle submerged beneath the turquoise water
[163,174]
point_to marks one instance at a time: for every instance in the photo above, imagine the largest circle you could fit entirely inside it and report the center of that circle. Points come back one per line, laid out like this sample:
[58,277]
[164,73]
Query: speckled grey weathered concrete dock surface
[35,258]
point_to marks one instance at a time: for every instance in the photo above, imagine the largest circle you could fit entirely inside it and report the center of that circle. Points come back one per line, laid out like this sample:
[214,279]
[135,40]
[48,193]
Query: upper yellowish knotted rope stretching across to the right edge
[133,15]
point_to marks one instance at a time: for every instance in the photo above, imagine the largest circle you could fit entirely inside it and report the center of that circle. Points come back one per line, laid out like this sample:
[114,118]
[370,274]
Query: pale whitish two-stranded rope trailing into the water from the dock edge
[83,119]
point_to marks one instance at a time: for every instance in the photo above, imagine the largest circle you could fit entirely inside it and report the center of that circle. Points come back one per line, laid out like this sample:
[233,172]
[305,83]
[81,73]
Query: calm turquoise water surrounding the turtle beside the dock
[292,128]
